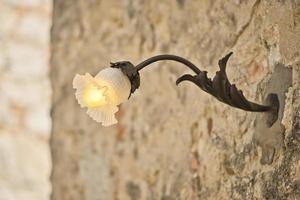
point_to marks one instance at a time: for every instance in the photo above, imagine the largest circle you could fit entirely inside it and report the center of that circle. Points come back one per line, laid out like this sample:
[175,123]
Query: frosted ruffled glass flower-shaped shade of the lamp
[102,94]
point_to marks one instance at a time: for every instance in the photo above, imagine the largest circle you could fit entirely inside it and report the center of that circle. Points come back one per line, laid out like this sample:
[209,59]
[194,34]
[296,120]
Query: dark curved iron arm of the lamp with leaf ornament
[219,87]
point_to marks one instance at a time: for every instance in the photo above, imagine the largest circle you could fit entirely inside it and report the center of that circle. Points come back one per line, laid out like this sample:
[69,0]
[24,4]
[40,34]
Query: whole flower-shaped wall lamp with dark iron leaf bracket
[111,86]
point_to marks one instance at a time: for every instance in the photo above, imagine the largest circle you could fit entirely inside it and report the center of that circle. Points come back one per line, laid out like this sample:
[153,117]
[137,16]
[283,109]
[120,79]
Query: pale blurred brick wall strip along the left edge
[24,99]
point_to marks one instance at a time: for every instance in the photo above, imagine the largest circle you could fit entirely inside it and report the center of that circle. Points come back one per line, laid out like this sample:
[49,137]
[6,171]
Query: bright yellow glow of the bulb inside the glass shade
[94,95]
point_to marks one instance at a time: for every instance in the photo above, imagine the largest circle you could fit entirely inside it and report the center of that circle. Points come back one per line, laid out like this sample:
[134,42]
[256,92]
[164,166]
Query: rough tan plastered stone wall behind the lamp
[174,142]
